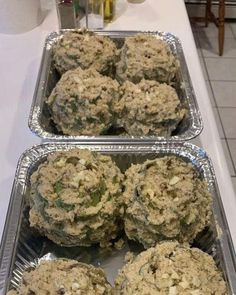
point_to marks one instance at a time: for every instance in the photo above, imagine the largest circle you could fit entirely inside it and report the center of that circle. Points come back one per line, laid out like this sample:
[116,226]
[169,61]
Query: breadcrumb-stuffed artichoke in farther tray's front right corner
[148,108]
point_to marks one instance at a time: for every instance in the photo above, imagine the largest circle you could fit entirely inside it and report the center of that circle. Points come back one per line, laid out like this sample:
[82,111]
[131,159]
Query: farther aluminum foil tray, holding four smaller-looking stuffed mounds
[41,124]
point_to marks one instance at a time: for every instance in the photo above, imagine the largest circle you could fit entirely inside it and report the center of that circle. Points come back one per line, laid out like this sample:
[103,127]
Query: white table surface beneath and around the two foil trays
[19,63]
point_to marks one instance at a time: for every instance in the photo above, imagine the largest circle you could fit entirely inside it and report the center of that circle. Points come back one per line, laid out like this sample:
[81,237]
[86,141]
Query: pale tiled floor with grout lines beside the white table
[220,76]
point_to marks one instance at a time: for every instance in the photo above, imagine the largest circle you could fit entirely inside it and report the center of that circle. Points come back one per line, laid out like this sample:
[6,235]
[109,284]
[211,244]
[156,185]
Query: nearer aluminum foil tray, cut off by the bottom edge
[22,247]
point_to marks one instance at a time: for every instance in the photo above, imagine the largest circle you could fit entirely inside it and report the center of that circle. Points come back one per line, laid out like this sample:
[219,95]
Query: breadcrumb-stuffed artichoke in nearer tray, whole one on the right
[165,199]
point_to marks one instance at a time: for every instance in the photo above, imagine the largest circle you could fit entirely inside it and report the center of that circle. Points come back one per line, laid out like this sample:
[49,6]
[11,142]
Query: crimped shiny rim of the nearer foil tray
[197,156]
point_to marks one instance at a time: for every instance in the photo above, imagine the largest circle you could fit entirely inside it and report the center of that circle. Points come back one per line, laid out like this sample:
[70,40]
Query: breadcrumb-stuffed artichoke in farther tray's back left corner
[84,49]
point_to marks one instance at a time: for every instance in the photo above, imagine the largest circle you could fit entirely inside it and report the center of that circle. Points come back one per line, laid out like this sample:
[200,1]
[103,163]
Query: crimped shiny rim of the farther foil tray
[34,122]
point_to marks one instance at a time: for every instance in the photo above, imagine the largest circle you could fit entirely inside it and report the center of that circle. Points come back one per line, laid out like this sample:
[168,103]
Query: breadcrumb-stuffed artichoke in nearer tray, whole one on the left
[75,198]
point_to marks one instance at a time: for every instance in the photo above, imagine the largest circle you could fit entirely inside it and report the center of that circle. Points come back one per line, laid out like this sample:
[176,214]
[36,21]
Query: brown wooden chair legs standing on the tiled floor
[219,21]
